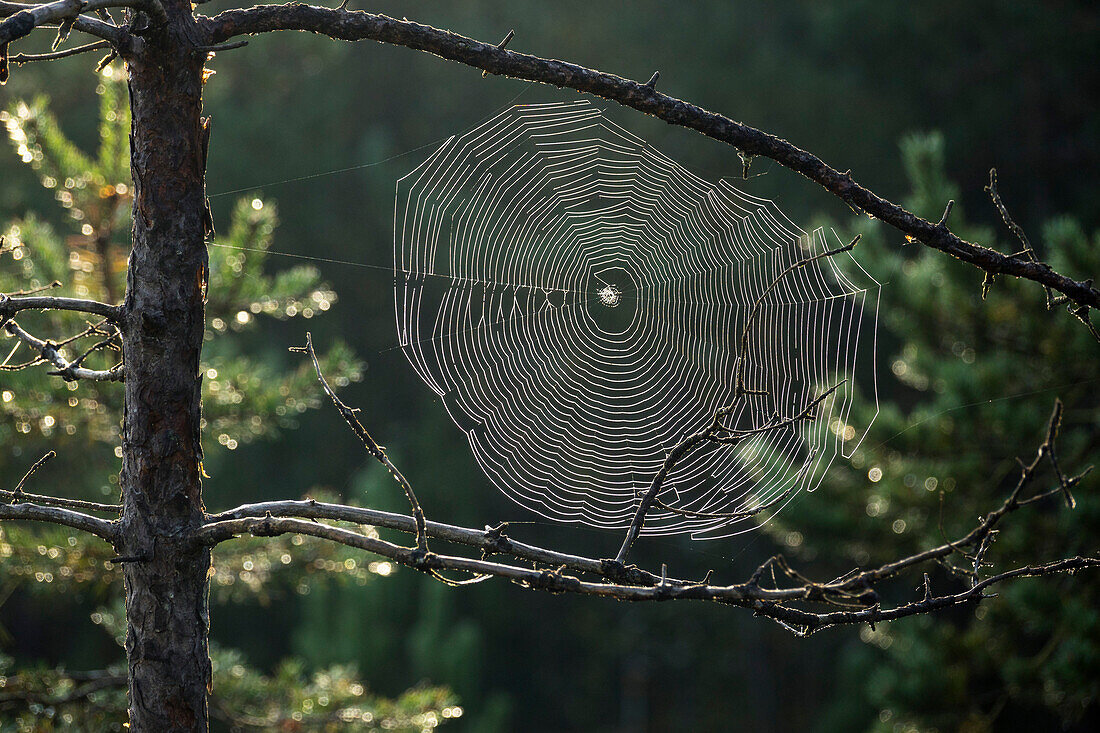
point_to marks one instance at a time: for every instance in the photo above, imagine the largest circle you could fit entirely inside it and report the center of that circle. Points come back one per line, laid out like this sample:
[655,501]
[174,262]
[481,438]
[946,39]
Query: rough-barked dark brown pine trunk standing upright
[167,585]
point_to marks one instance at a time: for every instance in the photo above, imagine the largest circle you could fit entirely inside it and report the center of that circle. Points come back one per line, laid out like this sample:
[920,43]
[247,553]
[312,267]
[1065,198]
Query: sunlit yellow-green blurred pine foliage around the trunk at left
[245,400]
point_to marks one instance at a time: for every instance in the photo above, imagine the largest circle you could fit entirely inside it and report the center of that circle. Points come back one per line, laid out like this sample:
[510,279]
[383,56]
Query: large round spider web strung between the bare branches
[577,301]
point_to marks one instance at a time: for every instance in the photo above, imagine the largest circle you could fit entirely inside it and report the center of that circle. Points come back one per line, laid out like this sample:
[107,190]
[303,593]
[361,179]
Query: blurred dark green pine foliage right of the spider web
[966,381]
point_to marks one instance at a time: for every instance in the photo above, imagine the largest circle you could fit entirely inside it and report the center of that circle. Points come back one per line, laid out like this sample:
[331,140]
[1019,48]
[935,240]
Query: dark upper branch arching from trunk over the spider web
[355,26]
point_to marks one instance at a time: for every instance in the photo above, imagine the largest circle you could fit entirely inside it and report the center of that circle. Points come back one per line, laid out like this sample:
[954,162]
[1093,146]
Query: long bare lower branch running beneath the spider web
[851,599]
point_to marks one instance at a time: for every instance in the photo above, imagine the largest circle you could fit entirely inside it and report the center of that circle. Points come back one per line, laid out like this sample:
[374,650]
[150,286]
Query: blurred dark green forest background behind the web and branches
[919,100]
